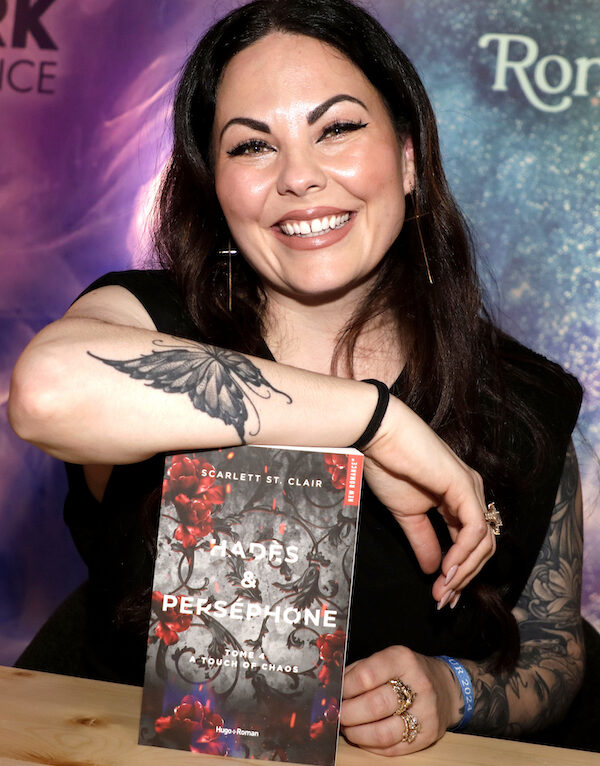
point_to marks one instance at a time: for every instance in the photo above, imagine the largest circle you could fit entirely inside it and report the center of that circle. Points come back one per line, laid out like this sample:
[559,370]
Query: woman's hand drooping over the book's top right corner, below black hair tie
[411,470]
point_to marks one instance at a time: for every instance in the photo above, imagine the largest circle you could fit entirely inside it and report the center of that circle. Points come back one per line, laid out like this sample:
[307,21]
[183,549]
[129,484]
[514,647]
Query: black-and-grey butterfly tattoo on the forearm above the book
[219,382]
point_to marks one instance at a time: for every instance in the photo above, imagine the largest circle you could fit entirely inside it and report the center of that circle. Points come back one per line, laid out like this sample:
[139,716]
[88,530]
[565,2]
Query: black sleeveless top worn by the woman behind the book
[392,601]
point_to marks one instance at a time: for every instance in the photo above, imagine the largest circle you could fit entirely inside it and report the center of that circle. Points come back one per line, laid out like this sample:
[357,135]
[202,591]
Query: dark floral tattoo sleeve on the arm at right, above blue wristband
[549,670]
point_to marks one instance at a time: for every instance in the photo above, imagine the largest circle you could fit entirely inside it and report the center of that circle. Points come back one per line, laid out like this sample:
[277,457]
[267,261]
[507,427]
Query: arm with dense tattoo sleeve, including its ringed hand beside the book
[533,695]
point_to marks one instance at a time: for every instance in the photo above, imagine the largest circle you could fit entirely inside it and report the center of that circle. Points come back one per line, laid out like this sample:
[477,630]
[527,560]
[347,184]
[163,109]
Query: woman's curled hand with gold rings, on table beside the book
[369,702]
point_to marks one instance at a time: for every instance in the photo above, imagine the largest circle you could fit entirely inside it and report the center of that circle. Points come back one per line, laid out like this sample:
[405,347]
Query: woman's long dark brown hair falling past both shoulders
[451,366]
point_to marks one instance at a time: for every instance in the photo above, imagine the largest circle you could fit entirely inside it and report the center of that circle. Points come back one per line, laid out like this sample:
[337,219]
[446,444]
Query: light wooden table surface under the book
[62,721]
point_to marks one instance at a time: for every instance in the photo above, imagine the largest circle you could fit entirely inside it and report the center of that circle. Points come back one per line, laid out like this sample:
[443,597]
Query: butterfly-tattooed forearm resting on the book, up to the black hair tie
[92,392]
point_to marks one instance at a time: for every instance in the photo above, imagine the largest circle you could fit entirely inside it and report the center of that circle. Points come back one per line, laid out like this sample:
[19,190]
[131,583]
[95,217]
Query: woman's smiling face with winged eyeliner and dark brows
[309,171]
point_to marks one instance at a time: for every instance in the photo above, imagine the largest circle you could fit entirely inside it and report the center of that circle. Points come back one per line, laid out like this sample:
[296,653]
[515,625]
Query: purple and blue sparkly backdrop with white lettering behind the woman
[85,88]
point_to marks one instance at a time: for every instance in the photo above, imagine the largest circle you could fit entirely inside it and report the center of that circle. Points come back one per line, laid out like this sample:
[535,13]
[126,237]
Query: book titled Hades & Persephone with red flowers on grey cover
[250,603]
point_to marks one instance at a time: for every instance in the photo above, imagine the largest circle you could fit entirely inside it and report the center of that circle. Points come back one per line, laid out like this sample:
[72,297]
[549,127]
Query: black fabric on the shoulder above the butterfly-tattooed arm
[157,291]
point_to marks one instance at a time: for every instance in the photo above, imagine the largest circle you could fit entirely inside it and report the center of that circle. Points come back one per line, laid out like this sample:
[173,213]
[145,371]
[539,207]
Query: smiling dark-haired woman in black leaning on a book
[305,221]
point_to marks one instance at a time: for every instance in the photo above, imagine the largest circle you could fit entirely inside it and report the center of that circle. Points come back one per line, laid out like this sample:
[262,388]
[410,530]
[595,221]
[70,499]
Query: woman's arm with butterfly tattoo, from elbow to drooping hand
[101,386]
